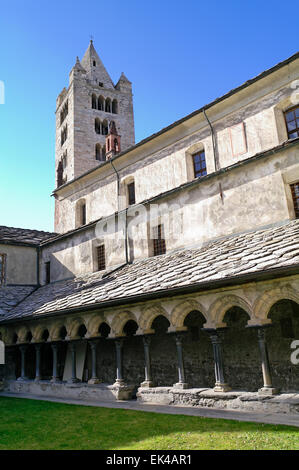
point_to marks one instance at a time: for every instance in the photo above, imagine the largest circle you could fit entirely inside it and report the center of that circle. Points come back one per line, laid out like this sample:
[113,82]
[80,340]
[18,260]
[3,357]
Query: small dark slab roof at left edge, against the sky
[21,235]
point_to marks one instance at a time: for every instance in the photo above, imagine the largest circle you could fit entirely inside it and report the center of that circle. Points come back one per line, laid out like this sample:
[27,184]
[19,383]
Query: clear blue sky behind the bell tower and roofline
[179,56]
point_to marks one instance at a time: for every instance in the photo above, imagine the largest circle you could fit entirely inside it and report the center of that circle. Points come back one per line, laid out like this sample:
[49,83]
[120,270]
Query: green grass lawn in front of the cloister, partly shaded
[30,424]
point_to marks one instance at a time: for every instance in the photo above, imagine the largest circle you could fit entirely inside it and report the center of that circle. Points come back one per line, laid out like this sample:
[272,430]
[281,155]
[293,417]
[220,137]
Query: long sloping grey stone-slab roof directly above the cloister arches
[227,258]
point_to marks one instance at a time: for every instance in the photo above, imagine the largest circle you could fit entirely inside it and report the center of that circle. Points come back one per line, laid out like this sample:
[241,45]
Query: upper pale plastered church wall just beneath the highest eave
[166,161]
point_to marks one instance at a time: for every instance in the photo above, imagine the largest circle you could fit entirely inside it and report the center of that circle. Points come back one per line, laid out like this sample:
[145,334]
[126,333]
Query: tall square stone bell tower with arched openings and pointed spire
[84,112]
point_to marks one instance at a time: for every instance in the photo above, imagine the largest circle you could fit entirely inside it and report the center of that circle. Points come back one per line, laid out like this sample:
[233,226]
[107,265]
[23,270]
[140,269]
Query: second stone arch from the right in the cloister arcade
[219,308]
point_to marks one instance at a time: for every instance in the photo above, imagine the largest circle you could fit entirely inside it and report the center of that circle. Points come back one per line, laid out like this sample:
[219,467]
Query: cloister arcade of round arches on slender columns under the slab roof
[220,340]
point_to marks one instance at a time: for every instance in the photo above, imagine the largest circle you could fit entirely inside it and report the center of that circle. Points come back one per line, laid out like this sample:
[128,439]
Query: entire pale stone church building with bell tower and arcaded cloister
[172,274]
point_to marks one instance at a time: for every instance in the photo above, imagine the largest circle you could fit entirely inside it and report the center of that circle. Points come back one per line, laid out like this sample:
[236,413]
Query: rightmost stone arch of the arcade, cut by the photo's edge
[265,301]
